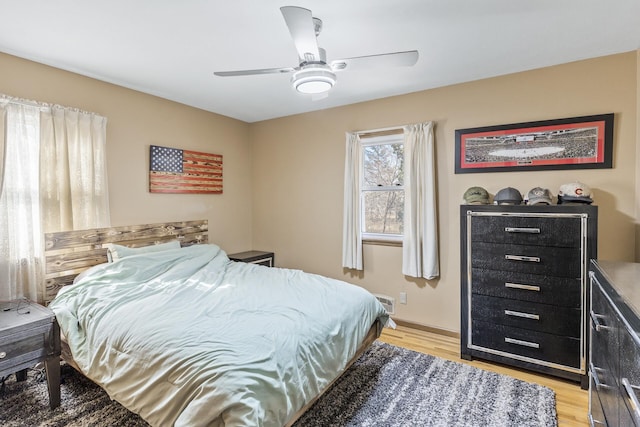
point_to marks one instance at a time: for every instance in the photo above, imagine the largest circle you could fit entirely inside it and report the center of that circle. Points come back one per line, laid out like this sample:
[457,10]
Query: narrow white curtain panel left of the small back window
[351,236]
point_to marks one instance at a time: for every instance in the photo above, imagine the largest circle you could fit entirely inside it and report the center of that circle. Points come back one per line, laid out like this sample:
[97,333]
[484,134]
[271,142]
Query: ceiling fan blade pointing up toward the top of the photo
[300,23]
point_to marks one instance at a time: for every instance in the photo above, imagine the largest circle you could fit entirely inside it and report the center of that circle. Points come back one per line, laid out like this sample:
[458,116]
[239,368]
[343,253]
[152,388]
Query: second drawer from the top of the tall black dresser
[550,261]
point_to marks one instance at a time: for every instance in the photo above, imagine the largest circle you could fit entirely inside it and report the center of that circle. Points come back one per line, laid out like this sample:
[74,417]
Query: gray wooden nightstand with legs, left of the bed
[30,334]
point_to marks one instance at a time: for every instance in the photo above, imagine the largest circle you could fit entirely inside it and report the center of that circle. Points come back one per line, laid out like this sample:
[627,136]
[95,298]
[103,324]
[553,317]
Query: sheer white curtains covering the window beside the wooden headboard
[54,180]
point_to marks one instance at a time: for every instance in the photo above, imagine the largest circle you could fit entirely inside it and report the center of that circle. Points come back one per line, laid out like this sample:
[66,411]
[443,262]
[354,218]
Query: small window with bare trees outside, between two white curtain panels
[382,188]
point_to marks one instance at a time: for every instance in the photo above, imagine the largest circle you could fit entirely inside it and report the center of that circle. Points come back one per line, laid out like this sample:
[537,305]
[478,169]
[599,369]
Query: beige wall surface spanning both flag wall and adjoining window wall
[283,178]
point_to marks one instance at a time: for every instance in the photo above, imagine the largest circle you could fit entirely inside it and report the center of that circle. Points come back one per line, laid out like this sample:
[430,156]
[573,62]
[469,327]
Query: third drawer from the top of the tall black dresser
[562,291]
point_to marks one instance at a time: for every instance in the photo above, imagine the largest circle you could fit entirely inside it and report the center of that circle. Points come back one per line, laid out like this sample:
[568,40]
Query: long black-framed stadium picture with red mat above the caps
[573,143]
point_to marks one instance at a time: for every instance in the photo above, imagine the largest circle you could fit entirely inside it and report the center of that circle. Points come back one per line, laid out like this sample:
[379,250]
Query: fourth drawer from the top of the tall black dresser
[527,315]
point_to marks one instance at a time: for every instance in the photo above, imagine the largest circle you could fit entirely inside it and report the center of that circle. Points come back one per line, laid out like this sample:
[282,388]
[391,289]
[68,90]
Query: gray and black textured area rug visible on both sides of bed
[387,386]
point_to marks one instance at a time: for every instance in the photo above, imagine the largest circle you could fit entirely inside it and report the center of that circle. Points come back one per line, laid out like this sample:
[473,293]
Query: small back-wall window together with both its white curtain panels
[380,206]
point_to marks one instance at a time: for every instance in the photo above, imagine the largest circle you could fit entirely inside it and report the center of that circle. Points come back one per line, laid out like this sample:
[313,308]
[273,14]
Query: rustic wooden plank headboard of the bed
[69,253]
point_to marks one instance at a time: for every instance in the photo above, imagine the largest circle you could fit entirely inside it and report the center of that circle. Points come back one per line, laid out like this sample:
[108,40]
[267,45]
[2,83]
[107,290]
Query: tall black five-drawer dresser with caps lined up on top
[524,286]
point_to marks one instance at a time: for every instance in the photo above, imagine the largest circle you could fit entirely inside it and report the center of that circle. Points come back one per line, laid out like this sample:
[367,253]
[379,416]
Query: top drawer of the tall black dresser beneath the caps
[524,230]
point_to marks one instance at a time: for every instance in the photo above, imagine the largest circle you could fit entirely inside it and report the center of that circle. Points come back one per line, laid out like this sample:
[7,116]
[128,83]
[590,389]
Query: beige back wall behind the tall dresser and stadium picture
[299,163]
